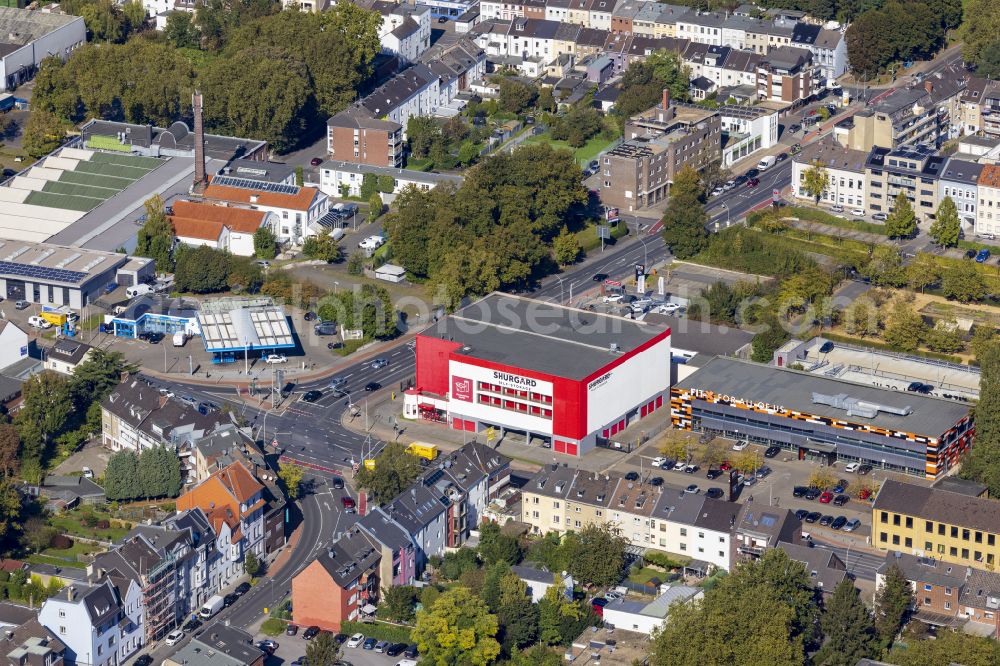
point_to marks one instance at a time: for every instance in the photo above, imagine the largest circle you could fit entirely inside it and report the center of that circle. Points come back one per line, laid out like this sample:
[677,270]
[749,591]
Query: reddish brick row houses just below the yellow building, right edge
[946,594]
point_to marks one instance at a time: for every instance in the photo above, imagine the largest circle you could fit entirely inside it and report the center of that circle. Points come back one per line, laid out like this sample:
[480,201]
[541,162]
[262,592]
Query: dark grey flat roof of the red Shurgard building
[541,336]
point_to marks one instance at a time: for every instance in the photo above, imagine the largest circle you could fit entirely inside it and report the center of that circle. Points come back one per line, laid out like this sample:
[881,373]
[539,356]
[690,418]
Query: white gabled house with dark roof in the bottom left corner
[86,618]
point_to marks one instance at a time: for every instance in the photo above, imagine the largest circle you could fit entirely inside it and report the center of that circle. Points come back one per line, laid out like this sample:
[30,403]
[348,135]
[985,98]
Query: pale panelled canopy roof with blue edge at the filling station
[230,324]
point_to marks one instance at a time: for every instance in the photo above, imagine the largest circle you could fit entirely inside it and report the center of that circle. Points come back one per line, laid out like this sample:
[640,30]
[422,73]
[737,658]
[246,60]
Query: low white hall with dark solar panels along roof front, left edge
[55,275]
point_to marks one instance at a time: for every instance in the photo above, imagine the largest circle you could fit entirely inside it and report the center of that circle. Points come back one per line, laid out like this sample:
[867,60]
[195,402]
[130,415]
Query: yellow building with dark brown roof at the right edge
[931,522]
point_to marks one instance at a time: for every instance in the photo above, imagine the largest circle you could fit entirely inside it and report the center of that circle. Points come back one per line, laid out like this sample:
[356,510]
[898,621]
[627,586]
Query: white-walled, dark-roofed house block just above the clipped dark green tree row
[136,417]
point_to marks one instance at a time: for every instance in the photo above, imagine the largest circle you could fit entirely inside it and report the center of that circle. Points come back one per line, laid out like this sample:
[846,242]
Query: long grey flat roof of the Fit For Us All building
[793,390]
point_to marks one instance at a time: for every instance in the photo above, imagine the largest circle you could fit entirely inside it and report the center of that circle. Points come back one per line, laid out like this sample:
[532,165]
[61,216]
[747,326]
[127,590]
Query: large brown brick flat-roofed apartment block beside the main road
[658,143]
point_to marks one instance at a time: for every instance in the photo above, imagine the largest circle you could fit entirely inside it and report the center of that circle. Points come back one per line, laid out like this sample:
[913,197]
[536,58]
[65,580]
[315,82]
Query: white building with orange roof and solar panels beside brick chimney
[293,207]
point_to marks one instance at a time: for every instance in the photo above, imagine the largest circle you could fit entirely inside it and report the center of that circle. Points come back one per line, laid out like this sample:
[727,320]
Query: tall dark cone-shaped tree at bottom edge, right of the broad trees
[848,627]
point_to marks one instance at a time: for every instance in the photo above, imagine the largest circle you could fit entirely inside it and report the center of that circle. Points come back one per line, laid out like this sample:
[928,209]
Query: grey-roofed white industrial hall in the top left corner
[29,37]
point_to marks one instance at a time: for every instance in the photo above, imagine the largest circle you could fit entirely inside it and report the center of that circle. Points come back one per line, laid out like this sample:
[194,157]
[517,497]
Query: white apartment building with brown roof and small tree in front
[845,169]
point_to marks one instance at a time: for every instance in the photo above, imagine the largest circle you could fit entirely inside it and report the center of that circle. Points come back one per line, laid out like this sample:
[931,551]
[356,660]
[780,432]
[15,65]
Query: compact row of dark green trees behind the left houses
[152,474]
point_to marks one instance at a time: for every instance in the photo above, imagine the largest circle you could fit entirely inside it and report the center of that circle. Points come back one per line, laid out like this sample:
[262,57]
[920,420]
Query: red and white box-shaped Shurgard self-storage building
[540,373]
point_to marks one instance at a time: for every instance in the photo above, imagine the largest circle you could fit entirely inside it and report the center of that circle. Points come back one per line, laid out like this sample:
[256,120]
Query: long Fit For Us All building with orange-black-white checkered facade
[824,419]
